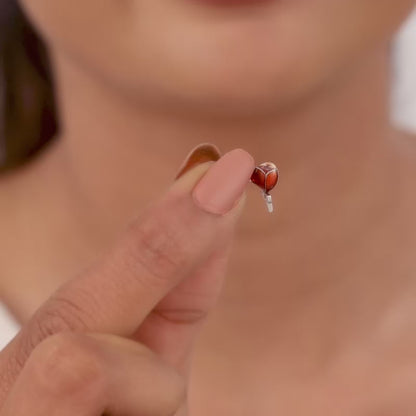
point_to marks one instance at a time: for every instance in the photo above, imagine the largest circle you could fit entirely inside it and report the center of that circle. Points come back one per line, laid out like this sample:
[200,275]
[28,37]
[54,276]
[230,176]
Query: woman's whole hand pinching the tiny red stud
[118,338]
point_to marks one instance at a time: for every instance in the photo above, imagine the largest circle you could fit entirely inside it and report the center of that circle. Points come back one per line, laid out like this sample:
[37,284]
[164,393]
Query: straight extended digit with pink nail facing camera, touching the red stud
[168,242]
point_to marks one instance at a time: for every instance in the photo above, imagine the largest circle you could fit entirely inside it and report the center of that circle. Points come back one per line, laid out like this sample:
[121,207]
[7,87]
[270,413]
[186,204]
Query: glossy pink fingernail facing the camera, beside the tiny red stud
[224,183]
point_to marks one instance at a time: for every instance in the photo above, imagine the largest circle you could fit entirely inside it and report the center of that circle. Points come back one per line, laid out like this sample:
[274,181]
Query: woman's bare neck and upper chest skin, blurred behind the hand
[316,315]
